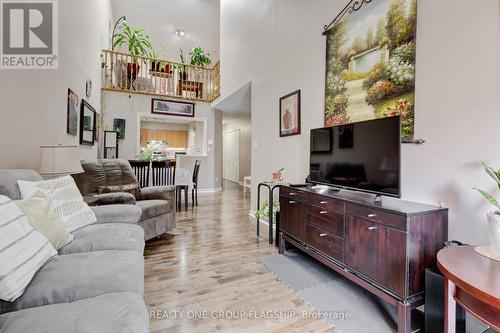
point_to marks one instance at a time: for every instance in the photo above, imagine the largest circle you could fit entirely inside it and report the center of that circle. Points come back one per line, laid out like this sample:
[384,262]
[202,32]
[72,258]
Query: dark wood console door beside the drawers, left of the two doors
[361,250]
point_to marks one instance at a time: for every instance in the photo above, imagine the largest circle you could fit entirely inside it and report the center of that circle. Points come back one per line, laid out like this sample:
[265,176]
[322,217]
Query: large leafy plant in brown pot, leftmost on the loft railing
[138,45]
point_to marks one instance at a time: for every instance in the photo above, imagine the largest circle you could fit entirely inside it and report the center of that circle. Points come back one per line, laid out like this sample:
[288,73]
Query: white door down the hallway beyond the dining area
[231,155]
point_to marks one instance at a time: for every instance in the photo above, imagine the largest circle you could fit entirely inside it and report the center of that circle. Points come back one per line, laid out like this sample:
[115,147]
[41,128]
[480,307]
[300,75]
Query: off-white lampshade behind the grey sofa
[60,161]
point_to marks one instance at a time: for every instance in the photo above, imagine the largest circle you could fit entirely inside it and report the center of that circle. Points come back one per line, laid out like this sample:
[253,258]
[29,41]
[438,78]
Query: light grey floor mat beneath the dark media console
[342,304]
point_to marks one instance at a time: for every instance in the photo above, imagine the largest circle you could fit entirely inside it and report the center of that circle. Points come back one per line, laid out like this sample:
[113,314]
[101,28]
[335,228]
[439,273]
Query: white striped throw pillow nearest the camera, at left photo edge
[23,250]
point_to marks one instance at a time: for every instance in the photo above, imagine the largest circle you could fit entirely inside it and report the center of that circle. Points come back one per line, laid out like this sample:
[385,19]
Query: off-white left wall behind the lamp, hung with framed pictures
[34,102]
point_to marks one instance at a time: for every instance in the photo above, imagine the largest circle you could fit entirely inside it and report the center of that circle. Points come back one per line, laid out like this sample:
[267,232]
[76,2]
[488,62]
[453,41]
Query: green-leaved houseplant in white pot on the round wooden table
[493,216]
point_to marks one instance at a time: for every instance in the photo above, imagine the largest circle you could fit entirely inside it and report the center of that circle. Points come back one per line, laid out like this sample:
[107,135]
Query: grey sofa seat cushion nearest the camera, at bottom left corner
[115,312]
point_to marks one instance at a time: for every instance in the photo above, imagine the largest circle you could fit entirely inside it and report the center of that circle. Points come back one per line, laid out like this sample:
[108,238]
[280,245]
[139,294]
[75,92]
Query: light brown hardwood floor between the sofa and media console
[208,269]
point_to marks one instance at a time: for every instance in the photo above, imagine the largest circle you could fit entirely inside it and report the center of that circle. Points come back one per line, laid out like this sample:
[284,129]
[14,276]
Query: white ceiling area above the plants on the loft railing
[161,18]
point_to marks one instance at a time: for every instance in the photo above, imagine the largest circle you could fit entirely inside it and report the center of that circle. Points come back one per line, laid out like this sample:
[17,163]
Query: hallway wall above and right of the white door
[244,124]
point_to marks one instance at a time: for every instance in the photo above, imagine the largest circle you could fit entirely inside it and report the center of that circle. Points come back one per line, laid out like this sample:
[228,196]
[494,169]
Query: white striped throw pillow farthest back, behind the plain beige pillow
[65,199]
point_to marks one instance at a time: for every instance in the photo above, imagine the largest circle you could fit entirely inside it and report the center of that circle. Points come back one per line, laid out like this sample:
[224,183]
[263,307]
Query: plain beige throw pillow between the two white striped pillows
[45,220]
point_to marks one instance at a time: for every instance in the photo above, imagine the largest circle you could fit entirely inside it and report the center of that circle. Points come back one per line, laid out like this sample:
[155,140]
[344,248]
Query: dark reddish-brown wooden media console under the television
[385,248]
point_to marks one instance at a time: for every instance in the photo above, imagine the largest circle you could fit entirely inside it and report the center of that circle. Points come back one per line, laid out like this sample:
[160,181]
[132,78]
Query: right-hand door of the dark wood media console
[392,259]
